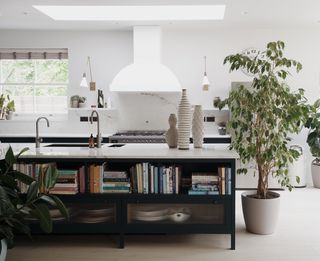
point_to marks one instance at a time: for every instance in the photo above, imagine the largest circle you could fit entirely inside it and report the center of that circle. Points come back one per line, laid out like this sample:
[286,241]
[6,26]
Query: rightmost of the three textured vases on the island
[197,127]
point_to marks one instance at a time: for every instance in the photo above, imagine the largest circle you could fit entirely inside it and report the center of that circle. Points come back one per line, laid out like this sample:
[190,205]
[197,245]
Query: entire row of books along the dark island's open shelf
[143,178]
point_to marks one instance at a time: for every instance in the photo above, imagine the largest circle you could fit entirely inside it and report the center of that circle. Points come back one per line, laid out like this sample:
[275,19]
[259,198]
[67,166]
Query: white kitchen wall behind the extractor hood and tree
[183,52]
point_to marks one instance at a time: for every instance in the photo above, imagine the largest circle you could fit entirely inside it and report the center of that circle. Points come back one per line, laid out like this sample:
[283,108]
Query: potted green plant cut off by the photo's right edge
[313,140]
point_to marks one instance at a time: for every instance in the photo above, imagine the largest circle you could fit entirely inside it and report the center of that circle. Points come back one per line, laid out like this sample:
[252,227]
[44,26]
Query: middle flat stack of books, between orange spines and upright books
[115,182]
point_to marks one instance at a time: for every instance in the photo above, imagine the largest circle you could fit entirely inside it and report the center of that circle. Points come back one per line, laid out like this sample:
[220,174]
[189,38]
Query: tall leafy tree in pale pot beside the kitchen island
[263,117]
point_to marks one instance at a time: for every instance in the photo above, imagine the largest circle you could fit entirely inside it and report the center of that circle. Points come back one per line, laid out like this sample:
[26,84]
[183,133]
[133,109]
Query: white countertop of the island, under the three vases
[132,151]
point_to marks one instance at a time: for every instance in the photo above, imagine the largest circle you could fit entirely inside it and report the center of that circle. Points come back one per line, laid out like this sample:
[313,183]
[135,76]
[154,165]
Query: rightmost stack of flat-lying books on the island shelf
[204,184]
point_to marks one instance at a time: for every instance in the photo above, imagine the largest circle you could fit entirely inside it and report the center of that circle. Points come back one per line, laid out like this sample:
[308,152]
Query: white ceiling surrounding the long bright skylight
[19,14]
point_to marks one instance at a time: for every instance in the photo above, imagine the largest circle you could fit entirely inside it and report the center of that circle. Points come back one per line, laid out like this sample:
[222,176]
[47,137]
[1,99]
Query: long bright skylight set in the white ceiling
[133,13]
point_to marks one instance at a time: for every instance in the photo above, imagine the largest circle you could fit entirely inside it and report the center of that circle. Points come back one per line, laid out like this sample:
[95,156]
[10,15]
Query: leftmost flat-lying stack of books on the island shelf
[67,182]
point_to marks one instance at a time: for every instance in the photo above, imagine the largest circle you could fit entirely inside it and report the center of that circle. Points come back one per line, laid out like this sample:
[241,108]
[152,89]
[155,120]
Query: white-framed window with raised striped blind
[37,80]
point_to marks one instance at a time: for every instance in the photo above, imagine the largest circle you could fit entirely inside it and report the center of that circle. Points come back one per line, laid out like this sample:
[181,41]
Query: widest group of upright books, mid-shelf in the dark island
[149,179]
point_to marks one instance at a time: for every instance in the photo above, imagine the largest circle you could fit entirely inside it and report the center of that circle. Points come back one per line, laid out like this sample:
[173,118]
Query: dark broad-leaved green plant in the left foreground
[15,208]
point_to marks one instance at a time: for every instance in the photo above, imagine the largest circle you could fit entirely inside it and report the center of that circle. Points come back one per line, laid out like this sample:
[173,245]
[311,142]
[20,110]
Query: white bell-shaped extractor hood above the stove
[146,73]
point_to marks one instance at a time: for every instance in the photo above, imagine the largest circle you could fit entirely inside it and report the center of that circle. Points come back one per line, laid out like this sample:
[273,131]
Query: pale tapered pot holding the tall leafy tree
[260,215]
